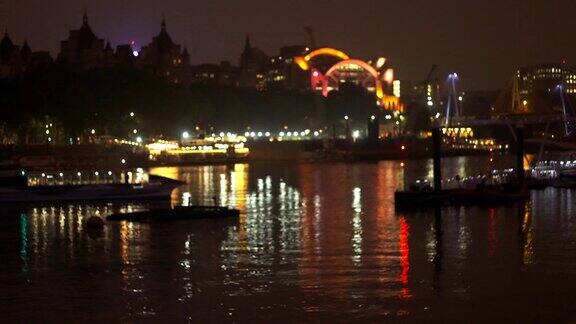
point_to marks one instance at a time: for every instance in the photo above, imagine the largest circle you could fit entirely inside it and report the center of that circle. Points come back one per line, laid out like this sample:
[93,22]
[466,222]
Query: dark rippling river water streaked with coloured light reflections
[315,242]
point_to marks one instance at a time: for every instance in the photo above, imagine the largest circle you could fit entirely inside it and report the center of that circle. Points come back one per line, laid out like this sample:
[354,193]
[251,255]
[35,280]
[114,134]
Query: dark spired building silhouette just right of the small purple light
[165,58]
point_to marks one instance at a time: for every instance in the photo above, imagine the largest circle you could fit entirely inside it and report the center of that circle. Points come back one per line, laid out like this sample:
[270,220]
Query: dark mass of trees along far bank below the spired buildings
[73,102]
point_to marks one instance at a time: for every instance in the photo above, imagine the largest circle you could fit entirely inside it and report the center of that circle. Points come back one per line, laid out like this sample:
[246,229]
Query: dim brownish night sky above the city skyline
[481,40]
